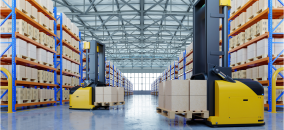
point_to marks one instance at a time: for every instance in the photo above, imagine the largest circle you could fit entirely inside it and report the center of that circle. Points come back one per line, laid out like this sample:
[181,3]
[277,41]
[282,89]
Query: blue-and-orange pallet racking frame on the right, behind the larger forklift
[270,13]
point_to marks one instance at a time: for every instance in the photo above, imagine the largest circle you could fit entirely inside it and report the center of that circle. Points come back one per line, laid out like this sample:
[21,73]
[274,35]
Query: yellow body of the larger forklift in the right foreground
[236,103]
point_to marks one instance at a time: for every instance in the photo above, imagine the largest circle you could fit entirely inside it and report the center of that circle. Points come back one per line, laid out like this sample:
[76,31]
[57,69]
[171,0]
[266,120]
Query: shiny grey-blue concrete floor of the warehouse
[138,113]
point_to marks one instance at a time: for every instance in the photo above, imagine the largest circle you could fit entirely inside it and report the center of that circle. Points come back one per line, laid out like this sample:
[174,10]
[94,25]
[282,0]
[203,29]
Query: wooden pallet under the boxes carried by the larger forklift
[186,114]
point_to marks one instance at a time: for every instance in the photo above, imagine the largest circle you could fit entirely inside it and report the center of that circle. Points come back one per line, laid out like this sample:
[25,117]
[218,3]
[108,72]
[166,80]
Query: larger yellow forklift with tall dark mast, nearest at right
[231,102]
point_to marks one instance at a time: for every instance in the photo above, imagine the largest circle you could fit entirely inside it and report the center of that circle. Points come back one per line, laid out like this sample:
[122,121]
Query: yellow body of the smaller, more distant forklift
[81,99]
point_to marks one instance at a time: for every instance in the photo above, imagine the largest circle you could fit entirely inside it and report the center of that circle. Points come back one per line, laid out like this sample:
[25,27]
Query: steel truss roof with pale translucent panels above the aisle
[137,33]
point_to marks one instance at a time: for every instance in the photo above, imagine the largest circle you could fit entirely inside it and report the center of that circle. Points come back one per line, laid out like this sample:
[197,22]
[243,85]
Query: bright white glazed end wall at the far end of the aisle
[142,81]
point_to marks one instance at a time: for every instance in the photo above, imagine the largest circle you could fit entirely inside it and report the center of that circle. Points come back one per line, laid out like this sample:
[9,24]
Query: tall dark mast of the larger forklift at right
[206,52]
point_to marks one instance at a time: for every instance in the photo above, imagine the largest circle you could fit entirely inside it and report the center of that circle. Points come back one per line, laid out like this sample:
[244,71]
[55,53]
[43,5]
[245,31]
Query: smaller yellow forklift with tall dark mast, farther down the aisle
[83,97]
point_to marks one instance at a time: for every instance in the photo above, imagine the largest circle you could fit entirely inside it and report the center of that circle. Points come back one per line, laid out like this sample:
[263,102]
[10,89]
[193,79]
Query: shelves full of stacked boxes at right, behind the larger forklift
[249,45]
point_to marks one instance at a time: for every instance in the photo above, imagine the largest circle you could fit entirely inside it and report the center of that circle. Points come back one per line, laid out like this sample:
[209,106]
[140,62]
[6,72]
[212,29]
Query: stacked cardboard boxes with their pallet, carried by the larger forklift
[183,97]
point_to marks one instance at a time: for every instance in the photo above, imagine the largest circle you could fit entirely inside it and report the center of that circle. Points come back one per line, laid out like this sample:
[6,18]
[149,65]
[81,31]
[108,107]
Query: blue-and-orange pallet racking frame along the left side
[13,13]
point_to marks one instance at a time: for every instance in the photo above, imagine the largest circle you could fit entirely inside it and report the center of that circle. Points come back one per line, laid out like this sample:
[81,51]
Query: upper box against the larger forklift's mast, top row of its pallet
[198,87]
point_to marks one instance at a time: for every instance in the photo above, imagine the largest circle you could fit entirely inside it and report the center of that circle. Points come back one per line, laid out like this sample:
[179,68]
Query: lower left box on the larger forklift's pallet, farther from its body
[177,103]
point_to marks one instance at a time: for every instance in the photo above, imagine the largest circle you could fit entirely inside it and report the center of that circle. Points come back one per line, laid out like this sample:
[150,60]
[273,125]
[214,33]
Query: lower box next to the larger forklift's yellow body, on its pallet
[198,103]
